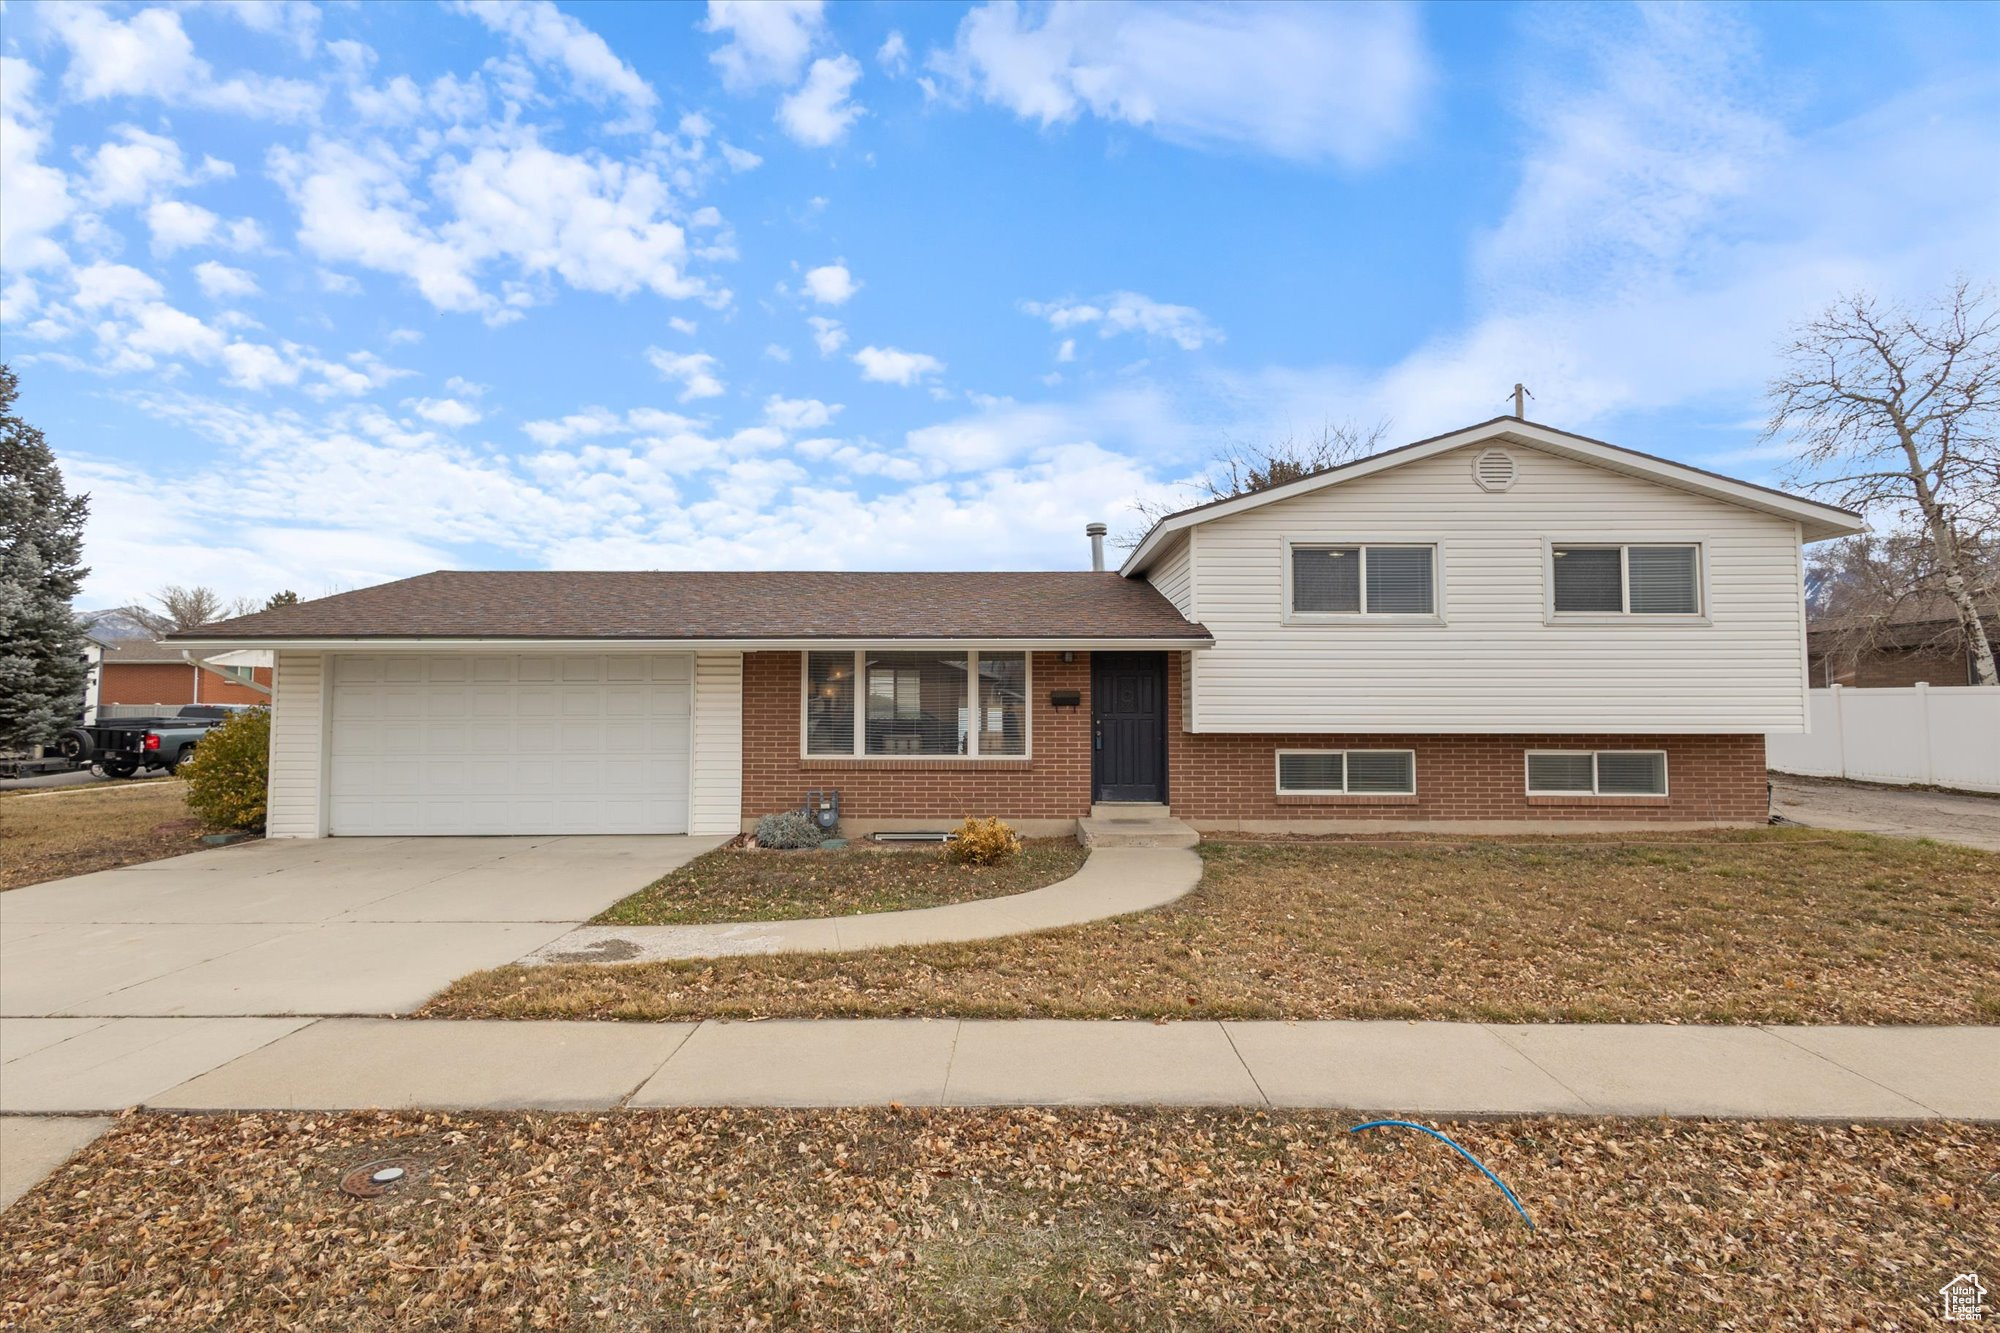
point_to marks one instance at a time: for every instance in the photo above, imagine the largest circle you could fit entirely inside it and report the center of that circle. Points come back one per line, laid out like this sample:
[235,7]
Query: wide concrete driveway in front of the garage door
[307,928]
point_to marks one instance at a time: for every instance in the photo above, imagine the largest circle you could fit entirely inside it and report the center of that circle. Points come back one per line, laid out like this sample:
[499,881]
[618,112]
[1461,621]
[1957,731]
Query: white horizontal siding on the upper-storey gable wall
[1497,663]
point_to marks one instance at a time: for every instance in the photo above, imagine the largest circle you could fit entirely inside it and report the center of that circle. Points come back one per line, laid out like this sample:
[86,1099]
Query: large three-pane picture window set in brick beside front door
[885,704]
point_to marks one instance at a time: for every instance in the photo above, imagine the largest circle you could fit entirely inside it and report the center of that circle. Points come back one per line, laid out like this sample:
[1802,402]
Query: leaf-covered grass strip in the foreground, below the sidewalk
[999,1220]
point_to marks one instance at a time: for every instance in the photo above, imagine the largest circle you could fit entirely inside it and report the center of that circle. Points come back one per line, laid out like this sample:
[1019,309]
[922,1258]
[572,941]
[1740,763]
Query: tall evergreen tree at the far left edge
[41,571]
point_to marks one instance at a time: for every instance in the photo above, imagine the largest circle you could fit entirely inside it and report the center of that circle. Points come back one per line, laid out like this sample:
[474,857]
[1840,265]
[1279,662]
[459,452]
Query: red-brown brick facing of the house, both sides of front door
[1223,782]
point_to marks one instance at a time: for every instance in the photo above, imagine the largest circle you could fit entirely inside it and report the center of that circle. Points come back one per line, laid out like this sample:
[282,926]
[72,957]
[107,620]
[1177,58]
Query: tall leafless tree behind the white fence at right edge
[1895,413]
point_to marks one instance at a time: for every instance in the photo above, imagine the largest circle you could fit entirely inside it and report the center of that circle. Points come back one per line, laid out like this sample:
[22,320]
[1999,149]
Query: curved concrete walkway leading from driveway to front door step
[1115,882]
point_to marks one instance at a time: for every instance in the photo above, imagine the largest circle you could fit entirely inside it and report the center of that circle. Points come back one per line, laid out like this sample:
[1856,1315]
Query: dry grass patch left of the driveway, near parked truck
[73,832]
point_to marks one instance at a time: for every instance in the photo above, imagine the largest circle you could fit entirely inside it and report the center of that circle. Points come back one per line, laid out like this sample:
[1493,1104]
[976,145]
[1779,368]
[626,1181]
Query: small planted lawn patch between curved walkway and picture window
[785,886]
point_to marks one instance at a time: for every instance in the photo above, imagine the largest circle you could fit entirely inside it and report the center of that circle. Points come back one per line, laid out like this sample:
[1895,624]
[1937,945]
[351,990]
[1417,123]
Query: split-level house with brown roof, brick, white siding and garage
[1491,629]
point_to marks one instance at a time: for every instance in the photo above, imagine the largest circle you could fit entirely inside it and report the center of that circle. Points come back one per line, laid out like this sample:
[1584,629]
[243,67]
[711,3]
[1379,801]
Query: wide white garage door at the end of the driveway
[491,744]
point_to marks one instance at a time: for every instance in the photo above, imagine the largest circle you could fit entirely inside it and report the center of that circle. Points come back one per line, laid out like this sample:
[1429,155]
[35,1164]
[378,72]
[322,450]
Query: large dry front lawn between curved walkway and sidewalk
[1753,928]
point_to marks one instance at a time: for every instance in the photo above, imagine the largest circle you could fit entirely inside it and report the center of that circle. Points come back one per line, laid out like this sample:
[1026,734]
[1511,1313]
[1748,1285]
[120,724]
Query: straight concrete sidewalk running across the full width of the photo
[1421,1068]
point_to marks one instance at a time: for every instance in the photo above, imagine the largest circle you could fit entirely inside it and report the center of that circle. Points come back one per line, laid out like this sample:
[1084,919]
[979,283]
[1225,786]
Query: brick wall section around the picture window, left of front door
[1051,784]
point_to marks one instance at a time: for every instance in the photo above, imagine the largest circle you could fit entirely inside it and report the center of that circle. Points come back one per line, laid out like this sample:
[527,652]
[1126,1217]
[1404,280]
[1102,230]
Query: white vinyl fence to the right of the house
[1937,736]
